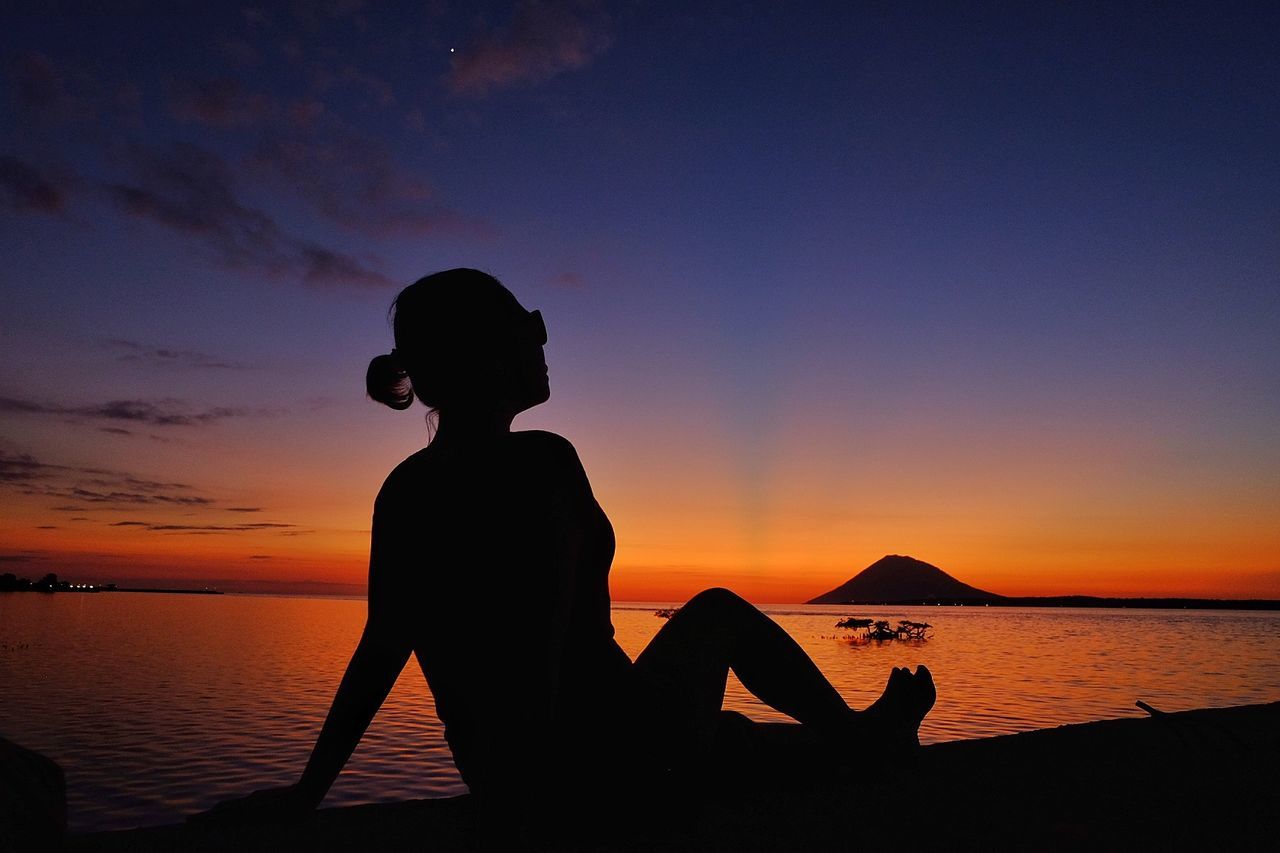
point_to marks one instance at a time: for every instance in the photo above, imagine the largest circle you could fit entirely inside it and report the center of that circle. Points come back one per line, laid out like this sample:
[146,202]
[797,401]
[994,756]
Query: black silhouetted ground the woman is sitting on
[1196,779]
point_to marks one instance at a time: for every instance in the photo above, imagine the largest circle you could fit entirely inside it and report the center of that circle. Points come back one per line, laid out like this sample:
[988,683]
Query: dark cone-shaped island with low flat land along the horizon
[903,581]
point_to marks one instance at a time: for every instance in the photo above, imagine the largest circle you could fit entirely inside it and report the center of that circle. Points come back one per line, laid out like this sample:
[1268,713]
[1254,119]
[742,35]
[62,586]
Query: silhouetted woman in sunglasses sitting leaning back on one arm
[490,563]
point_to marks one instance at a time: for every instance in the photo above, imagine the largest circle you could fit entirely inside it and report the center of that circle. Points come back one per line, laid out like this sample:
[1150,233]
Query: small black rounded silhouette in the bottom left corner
[33,800]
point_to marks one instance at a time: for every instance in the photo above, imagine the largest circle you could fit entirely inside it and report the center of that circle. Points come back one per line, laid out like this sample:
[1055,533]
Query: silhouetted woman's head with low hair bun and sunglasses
[463,343]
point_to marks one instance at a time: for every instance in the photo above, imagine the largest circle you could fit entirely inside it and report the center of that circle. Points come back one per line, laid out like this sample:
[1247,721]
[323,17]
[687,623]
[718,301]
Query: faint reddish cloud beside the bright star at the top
[543,39]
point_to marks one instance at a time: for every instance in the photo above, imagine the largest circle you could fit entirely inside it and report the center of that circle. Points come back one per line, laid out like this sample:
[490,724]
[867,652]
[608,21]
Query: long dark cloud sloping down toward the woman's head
[191,190]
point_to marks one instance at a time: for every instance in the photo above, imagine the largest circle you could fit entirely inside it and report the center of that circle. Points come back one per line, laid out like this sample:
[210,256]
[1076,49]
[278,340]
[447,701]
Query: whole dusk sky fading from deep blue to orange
[993,285]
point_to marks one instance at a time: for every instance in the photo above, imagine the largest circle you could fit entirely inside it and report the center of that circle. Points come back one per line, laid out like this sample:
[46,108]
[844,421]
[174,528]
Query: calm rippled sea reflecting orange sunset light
[158,706]
